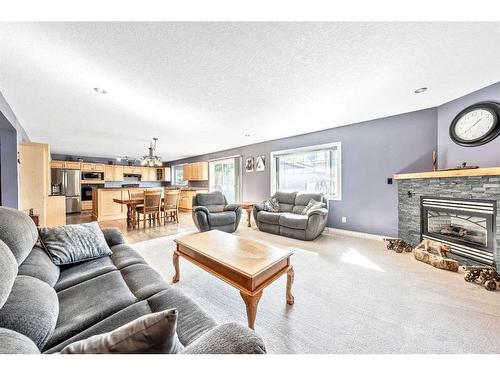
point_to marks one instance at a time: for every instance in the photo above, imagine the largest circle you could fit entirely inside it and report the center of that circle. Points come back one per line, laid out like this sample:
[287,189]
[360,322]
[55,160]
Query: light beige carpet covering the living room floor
[351,296]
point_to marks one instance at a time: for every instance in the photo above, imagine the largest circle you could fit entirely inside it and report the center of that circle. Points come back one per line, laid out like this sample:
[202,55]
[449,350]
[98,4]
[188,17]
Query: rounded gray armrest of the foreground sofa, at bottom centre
[229,338]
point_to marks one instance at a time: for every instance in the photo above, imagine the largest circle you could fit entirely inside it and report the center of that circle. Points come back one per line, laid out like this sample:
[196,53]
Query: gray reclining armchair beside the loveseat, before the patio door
[211,211]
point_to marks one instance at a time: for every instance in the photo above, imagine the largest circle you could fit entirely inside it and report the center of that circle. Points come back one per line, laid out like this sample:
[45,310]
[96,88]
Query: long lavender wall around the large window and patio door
[372,151]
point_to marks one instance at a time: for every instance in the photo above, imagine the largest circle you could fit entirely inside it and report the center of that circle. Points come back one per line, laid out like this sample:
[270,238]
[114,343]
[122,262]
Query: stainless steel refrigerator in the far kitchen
[70,181]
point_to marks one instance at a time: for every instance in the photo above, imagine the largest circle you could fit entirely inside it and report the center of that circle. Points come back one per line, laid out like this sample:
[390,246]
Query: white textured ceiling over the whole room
[200,87]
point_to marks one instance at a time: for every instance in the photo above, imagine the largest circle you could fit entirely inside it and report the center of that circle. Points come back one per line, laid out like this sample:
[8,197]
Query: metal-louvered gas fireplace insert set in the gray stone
[467,225]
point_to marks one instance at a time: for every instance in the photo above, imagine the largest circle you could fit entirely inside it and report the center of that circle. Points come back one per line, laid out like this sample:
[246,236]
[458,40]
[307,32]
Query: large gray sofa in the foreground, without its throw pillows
[44,307]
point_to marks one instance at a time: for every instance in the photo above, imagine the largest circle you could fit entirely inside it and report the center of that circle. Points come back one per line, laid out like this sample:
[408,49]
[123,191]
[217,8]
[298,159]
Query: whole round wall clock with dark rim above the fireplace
[476,125]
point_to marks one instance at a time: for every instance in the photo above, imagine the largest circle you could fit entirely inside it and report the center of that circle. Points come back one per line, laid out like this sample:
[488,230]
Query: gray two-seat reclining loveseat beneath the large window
[289,221]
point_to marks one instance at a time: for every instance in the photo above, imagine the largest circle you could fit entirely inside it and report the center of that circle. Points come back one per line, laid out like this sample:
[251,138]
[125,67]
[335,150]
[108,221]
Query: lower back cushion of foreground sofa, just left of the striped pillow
[39,265]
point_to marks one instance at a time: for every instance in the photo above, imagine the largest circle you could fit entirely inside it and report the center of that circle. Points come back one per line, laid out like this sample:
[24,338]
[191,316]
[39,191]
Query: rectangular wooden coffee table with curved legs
[247,265]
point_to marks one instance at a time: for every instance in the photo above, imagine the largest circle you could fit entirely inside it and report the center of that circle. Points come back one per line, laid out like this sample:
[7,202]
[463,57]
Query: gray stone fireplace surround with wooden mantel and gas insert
[458,208]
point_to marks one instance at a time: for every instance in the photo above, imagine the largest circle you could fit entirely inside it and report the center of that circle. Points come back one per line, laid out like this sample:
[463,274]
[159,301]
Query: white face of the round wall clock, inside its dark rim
[475,124]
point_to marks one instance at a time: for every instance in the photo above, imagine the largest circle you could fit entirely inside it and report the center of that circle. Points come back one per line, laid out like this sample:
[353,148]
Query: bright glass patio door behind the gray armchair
[224,175]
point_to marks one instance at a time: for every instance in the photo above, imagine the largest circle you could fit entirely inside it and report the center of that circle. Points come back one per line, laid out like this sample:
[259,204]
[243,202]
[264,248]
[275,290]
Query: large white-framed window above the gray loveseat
[311,169]
